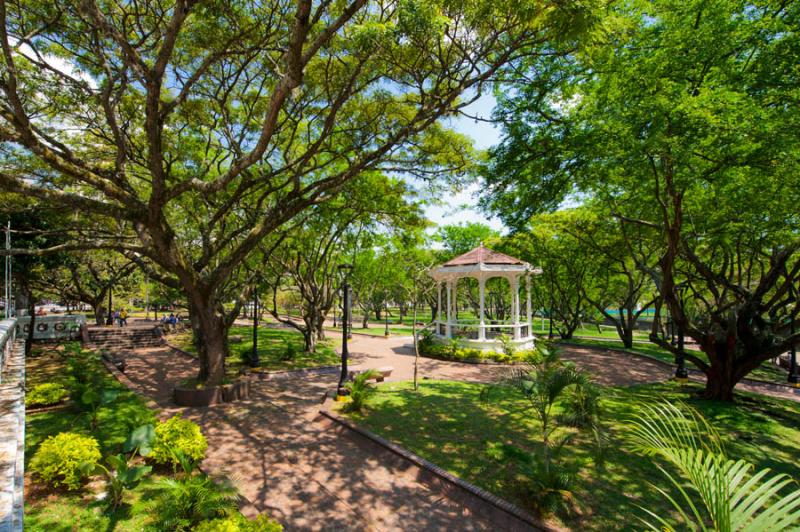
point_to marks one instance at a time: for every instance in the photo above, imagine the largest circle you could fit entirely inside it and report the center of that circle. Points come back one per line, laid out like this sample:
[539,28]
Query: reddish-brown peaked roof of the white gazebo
[482,262]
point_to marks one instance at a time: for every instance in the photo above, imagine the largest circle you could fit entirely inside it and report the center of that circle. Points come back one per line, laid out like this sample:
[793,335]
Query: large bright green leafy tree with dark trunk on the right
[683,123]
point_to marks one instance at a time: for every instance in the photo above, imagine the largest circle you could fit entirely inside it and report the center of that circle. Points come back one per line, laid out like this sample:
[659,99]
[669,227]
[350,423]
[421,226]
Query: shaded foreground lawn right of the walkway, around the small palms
[448,424]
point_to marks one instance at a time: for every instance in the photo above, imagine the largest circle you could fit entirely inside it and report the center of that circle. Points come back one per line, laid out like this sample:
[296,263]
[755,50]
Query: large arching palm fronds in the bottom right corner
[733,497]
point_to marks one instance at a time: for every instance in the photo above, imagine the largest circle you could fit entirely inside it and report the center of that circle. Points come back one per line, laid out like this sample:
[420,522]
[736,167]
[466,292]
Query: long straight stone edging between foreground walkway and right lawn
[496,503]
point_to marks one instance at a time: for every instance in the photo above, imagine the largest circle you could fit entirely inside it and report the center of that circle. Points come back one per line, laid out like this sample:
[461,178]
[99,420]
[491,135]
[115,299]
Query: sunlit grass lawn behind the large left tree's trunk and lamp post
[273,350]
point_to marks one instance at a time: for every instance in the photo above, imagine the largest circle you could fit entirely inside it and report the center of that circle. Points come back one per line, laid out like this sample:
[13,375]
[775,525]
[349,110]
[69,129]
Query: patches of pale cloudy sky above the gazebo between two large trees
[462,207]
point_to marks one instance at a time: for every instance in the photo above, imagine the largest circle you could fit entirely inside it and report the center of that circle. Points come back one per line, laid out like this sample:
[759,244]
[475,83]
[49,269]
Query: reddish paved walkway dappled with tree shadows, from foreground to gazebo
[300,468]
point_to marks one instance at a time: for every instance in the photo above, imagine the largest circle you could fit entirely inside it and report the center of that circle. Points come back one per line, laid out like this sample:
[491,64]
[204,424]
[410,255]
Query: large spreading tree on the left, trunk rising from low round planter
[206,127]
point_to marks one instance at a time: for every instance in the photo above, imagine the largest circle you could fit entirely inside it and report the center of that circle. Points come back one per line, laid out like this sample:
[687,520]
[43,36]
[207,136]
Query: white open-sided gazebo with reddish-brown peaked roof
[482,264]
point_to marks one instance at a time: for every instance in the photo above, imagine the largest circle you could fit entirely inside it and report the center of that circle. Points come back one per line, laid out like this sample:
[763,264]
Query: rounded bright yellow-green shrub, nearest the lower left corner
[60,459]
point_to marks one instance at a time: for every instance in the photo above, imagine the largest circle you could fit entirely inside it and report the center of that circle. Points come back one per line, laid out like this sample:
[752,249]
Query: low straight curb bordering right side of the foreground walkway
[496,509]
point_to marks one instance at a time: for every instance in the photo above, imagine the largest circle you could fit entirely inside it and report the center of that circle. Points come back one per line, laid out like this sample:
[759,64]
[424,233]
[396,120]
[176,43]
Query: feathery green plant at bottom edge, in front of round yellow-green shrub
[185,502]
